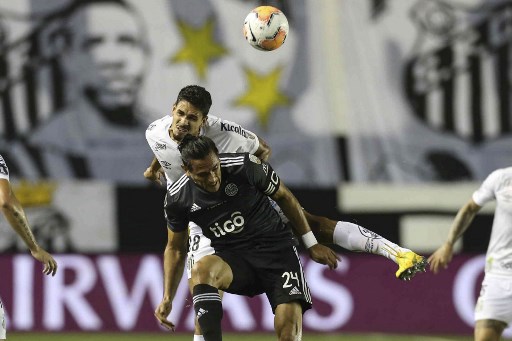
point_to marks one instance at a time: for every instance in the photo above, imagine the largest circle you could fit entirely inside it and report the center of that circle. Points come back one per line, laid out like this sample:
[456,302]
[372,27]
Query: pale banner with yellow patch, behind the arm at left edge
[66,216]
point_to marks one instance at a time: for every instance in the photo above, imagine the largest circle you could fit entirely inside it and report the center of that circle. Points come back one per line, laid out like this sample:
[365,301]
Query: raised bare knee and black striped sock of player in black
[208,275]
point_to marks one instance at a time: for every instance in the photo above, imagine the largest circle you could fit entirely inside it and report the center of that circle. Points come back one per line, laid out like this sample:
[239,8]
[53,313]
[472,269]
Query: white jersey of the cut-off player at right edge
[498,186]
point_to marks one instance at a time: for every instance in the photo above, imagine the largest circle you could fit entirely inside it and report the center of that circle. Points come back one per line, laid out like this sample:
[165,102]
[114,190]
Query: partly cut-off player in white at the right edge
[493,311]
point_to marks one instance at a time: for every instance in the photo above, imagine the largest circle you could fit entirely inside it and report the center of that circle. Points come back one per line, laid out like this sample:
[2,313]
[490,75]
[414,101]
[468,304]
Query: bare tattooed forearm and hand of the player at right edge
[442,256]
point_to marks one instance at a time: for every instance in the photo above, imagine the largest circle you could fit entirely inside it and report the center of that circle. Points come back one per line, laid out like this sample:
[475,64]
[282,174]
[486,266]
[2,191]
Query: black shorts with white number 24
[277,273]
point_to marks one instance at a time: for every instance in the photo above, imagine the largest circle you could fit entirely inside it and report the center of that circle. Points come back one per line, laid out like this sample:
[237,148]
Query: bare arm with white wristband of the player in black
[293,210]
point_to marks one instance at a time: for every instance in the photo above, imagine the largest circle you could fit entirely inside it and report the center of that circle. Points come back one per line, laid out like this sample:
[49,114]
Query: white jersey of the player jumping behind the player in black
[229,137]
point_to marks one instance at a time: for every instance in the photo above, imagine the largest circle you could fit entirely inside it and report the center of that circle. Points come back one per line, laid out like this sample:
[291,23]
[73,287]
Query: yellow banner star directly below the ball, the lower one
[263,94]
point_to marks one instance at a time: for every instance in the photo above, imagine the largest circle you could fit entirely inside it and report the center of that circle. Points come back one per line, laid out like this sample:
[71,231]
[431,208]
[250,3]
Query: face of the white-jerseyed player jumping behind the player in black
[186,119]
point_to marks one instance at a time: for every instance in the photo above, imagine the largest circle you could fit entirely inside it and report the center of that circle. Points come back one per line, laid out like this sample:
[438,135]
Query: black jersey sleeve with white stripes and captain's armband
[261,175]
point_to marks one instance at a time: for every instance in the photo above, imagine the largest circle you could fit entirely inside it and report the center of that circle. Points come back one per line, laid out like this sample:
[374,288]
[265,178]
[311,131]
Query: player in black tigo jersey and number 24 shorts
[226,194]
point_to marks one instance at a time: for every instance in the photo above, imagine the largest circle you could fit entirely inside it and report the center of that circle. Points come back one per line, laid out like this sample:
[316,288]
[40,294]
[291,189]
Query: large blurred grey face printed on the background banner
[104,54]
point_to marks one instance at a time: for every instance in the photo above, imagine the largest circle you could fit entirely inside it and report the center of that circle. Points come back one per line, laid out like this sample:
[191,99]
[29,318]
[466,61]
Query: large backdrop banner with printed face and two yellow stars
[80,84]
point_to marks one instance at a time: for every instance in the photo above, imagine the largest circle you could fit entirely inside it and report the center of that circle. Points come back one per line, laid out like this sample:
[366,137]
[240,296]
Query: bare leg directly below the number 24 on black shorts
[288,321]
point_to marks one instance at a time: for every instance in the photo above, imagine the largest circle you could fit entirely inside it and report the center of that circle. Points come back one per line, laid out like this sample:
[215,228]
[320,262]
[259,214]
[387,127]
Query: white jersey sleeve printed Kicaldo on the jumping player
[230,137]
